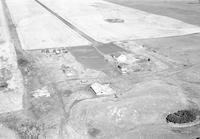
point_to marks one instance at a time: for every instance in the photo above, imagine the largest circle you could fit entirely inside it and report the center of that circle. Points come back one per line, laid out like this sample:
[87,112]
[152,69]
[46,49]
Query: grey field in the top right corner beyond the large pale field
[186,11]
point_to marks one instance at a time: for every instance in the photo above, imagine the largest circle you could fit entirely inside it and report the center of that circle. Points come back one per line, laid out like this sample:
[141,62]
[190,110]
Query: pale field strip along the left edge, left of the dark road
[11,89]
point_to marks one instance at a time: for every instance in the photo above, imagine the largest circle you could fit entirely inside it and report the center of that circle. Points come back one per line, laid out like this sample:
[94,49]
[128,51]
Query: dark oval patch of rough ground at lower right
[182,116]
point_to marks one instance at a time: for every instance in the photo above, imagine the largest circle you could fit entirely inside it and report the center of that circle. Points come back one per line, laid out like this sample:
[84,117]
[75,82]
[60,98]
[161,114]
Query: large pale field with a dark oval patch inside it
[91,17]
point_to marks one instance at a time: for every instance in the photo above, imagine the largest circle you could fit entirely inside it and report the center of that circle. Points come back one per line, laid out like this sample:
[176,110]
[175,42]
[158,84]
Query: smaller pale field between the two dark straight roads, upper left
[39,29]
